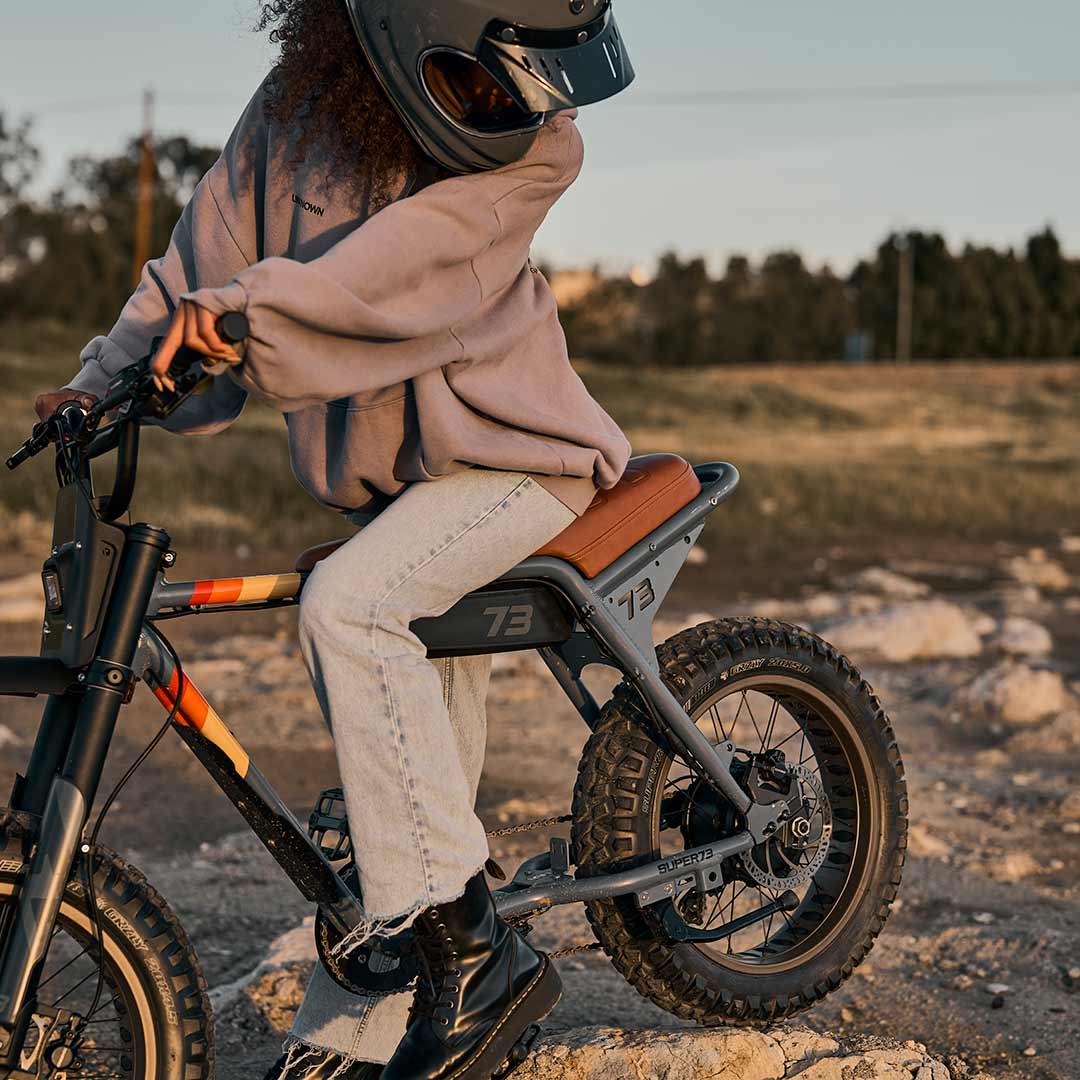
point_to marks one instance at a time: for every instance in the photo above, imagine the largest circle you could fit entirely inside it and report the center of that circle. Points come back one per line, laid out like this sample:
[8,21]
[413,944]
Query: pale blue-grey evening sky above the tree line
[799,146]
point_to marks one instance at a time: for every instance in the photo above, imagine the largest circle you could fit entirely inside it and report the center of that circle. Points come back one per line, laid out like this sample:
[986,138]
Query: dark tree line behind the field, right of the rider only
[978,303]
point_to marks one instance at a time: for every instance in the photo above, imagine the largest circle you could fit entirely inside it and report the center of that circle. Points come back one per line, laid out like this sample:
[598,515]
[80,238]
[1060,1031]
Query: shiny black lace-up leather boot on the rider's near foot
[481,998]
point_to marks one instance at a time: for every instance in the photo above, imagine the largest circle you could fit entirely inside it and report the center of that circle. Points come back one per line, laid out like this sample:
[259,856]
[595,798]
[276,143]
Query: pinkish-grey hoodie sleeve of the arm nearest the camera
[381,306]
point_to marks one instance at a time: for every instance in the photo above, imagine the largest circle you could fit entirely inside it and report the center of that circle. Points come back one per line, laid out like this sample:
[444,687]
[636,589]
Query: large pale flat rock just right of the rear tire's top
[924,630]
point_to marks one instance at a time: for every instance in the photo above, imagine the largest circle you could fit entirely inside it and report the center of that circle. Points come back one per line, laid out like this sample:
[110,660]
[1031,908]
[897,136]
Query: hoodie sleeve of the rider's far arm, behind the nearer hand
[212,242]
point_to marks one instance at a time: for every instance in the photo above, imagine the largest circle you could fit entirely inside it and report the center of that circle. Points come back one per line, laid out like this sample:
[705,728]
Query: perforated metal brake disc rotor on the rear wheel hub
[793,857]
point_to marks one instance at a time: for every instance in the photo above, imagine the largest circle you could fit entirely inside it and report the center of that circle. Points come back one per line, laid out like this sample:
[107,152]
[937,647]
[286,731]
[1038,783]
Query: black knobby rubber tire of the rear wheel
[616,813]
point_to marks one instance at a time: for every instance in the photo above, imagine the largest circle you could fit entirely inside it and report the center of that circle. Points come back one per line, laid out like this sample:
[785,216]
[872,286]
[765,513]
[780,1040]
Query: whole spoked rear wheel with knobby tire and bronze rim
[791,705]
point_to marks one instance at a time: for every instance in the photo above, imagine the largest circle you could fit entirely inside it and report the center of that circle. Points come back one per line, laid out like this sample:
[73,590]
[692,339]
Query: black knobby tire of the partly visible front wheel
[150,956]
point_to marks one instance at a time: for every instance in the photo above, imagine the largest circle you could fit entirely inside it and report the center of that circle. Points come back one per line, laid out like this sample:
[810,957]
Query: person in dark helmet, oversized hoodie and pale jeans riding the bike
[372,214]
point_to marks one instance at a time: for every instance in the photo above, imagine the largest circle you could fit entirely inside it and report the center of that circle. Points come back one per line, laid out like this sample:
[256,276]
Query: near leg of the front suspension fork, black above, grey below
[109,682]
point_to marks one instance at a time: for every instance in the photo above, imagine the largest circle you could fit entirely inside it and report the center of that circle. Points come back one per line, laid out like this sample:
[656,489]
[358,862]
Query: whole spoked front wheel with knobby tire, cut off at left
[148,1019]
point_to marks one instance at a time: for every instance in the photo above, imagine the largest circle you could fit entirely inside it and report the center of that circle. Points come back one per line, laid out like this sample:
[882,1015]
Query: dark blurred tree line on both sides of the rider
[70,255]
